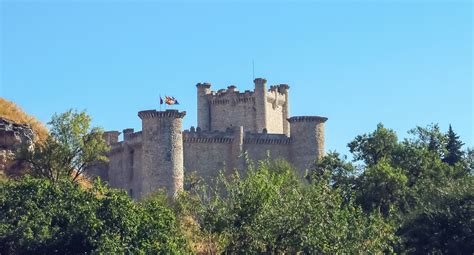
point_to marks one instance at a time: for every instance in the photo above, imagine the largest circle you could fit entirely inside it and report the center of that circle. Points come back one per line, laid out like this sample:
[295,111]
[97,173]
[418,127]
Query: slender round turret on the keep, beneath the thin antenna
[260,103]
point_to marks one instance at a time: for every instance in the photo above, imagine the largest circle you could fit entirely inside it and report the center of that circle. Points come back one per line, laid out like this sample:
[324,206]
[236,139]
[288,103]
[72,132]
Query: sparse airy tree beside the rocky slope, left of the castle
[70,149]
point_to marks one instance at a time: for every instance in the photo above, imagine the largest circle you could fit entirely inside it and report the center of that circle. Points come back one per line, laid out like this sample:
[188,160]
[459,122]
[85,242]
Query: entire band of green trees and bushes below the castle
[413,196]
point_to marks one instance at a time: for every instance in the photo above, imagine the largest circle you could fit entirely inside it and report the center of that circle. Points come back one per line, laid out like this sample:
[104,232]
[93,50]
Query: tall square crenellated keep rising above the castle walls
[254,110]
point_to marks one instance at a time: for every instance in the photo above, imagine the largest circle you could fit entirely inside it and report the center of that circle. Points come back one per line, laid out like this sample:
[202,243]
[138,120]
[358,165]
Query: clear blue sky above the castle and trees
[402,63]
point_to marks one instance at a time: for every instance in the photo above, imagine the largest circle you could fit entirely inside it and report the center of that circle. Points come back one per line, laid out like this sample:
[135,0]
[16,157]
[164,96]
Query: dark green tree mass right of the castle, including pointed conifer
[424,185]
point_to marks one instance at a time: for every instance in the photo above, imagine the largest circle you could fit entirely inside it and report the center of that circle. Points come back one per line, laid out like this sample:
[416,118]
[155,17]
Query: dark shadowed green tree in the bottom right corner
[442,221]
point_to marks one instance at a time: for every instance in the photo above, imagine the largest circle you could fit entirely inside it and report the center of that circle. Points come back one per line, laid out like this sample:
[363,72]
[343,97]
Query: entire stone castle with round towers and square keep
[231,124]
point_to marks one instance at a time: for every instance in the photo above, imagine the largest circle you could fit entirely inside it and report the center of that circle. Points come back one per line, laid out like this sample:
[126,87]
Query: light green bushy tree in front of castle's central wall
[270,211]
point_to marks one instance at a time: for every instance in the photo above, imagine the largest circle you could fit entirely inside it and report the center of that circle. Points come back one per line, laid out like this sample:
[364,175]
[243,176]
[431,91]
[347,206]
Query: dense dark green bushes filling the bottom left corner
[42,217]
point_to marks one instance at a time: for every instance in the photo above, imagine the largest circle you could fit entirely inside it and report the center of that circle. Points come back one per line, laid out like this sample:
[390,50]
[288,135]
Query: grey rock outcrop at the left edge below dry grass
[13,137]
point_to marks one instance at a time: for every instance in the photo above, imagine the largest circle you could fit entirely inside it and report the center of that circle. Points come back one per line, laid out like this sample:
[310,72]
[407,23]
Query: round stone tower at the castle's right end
[307,140]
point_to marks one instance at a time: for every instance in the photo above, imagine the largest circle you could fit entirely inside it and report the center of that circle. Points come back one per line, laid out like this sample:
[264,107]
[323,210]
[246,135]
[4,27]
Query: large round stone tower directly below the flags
[162,156]
